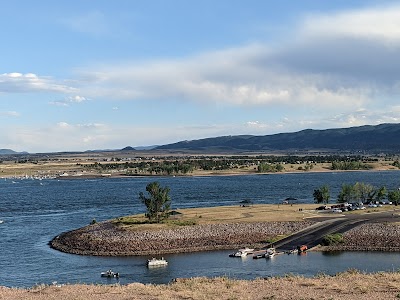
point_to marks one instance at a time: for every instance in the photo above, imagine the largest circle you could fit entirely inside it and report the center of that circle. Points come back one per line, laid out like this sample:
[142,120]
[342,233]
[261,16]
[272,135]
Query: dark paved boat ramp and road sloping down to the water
[313,235]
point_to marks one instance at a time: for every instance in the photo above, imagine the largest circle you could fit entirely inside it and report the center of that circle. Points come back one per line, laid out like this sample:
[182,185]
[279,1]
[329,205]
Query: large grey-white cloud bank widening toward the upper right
[347,60]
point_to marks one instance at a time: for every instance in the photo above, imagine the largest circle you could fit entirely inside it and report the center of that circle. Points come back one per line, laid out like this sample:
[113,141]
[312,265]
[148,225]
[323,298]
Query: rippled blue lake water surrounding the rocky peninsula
[35,211]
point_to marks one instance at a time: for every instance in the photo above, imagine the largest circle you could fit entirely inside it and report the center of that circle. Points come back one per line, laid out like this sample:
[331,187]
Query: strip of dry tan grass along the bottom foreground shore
[347,285]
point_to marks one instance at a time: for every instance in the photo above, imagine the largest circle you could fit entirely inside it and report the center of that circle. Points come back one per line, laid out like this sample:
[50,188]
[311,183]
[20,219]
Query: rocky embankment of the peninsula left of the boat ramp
[107,239]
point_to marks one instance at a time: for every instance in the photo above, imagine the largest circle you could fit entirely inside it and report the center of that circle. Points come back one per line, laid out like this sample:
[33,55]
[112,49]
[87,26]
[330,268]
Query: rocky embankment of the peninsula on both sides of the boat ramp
[107,239]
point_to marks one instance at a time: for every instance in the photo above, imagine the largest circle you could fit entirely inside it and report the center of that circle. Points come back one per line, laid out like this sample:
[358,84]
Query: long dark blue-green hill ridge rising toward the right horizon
[384,137]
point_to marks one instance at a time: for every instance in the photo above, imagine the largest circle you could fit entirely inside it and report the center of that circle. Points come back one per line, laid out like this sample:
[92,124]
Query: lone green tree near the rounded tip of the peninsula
[157,203]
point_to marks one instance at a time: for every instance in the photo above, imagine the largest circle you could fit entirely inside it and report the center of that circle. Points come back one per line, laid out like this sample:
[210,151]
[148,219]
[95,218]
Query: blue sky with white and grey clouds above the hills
[80,75]
